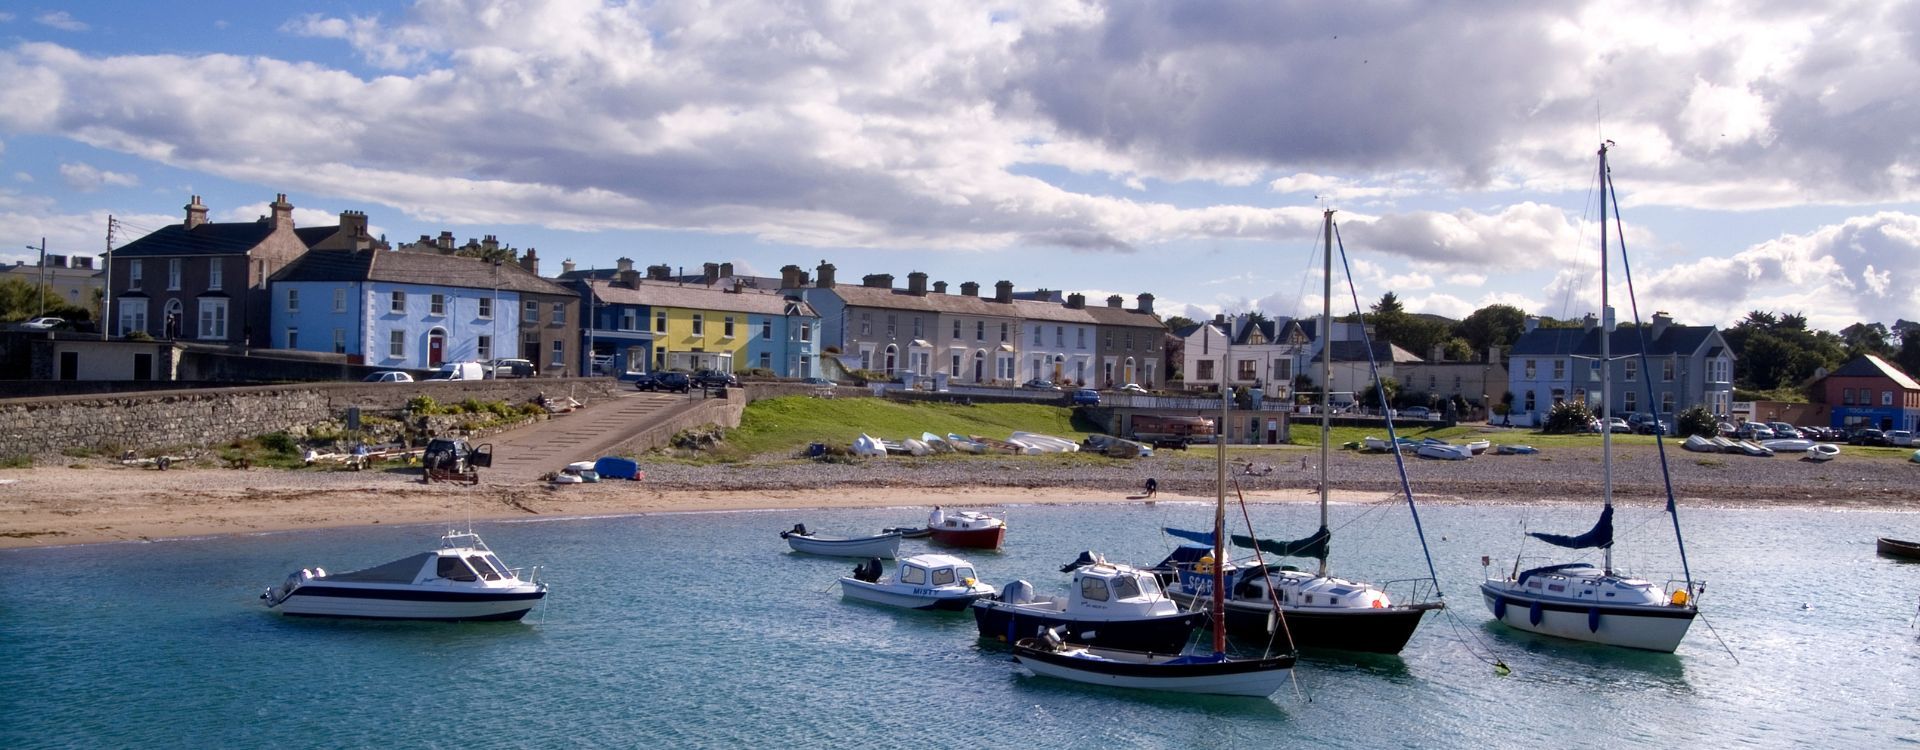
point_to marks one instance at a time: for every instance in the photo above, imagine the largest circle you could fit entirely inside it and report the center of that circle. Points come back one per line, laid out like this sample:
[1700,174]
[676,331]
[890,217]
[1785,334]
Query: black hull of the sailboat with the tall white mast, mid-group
[1364,630]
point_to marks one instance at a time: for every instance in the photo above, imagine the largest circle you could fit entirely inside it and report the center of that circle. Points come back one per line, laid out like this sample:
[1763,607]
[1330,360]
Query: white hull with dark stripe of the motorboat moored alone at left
[372,603]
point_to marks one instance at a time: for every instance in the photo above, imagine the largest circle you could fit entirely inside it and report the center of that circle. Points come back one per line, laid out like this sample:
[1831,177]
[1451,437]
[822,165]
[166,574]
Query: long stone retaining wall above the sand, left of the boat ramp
[199,419]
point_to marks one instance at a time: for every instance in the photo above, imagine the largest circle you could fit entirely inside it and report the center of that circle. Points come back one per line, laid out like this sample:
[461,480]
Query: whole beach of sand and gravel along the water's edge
[105,502]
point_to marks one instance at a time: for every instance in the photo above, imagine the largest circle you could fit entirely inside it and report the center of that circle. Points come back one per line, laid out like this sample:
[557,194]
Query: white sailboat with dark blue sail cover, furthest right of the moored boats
[1598,603]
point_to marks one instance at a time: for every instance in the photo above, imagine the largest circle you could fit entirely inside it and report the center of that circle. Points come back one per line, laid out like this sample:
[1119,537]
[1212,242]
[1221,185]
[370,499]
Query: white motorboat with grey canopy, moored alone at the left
[462,580]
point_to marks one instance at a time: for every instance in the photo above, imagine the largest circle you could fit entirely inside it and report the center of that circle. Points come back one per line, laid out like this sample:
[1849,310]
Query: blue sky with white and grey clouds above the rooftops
[1765,154]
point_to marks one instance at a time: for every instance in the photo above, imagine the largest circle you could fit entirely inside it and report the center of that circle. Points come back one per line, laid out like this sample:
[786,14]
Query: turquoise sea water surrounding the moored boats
[702,630]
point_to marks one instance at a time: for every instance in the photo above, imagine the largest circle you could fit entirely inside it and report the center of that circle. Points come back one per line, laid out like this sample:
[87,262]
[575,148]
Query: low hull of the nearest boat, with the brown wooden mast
[1255,678]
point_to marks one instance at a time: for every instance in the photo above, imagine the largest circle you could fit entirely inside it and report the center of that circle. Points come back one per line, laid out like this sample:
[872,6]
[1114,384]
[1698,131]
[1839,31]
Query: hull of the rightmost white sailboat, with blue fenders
[1652,628]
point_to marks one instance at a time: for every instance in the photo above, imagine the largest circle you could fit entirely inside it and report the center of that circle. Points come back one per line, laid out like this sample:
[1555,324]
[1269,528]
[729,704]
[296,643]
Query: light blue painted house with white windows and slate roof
[408,310]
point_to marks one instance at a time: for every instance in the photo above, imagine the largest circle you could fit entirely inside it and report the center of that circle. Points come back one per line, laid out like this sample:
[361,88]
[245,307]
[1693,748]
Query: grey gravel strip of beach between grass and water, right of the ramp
[1566,473]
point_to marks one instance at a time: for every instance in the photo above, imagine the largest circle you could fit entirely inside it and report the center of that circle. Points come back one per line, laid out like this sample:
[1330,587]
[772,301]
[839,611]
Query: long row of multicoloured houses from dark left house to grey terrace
[339,291]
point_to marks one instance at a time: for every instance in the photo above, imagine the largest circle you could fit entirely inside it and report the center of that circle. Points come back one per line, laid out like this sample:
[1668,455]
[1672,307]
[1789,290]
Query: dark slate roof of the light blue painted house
[387,266]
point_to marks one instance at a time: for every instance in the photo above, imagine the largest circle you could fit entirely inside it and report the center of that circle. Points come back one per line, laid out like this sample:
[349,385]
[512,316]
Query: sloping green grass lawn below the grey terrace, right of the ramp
[792,423]
